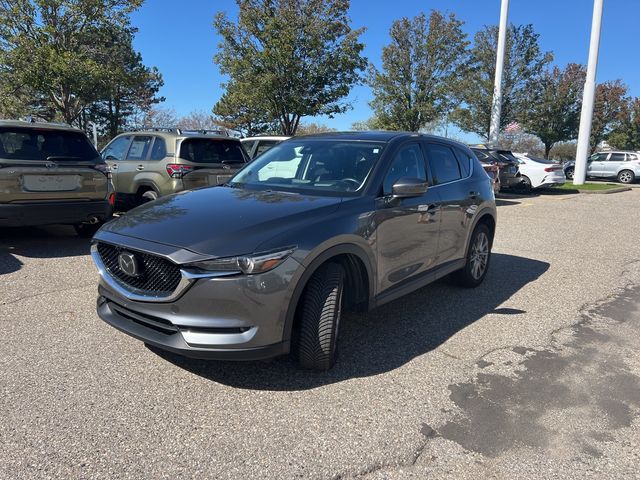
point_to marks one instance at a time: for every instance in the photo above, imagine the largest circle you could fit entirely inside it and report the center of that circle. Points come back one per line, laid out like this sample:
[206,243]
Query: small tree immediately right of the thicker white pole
[608,110]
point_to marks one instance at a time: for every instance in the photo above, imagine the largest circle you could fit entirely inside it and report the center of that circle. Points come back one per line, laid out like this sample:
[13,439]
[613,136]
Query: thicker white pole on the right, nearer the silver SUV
[586,115]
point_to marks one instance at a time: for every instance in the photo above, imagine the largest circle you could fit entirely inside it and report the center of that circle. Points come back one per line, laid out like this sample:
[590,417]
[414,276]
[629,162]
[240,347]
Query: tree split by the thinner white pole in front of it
[523,64]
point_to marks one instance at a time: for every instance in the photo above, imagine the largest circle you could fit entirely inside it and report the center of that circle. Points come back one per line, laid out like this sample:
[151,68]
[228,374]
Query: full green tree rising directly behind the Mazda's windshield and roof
[289,59]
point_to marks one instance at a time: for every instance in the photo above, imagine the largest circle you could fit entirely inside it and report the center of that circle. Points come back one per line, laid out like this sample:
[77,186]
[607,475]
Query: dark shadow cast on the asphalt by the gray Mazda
[389,336]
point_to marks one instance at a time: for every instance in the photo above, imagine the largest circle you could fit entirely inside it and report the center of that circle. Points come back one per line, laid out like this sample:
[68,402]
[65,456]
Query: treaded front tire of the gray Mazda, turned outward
[320,318]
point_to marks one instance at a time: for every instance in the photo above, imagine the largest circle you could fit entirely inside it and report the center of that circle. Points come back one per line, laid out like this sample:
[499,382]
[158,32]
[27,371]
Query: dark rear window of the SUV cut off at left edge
[45,144]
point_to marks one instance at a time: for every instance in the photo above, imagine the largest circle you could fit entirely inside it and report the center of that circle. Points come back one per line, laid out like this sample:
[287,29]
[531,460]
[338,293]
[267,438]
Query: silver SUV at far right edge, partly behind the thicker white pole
[624,166]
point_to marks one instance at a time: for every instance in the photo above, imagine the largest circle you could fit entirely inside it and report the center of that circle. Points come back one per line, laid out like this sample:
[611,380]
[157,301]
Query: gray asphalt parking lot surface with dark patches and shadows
[535,374]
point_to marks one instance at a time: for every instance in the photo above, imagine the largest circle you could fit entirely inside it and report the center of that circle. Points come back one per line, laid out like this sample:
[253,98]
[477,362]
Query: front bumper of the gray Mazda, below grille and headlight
[239,317]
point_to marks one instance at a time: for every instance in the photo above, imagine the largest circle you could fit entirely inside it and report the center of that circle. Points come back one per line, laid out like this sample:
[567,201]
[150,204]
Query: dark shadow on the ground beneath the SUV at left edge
[38,242]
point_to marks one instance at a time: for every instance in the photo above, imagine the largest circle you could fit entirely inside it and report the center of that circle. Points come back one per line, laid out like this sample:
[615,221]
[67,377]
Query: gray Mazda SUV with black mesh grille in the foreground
[317,225]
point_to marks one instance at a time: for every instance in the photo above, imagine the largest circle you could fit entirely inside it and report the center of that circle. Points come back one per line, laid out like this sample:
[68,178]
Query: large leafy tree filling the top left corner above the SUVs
[50,46]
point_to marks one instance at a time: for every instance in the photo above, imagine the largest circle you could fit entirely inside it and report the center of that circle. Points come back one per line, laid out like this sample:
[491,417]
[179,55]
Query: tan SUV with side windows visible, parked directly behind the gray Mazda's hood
[148,164]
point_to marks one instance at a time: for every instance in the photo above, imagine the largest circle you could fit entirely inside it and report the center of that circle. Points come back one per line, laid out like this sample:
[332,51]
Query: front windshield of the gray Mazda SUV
[312,165]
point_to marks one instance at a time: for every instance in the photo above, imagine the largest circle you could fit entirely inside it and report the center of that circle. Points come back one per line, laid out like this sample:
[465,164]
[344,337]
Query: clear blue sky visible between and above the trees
[181,41]
